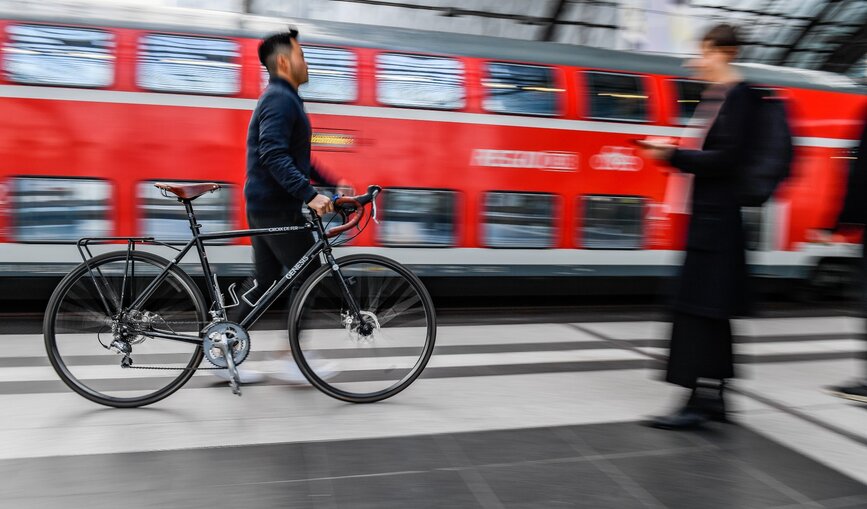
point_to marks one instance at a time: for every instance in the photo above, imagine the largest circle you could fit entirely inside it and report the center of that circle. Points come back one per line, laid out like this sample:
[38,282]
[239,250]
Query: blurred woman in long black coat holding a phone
[711,288]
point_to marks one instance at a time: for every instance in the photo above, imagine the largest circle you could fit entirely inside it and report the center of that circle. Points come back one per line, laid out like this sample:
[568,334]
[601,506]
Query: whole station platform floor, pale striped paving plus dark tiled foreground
[506,415]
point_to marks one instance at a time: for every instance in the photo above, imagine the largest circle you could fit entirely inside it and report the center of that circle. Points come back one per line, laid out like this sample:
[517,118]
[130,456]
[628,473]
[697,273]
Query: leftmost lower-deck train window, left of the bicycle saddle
[59,209]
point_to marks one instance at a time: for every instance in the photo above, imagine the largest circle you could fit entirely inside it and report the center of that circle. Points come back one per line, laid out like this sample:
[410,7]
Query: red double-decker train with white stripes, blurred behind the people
[500,157]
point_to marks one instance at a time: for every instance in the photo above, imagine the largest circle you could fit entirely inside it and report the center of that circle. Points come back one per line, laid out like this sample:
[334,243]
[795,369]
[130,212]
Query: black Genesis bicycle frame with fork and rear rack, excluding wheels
[321,246]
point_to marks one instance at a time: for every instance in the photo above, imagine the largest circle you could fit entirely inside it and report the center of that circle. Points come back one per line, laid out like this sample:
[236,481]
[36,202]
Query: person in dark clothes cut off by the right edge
[853,214]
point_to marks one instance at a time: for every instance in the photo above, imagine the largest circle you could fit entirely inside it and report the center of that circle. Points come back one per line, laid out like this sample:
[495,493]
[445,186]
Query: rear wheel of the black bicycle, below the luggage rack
[88,321]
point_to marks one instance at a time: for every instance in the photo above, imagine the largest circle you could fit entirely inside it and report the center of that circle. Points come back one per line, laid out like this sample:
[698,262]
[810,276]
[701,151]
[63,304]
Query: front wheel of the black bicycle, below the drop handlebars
[376,357]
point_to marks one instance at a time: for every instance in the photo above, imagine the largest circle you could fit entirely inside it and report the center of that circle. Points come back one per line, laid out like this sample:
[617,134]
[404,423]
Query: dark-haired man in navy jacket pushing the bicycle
[278,178]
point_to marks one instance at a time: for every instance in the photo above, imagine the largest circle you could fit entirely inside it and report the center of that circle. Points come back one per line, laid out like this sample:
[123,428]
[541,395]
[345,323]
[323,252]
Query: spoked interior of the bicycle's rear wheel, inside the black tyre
[81,324]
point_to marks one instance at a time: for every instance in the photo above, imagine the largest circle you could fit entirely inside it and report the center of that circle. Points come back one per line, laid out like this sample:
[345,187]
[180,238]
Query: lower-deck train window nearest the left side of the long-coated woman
[612,222]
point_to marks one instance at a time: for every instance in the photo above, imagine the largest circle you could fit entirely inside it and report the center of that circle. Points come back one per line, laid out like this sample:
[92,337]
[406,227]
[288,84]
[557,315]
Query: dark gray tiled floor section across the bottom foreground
[619,465]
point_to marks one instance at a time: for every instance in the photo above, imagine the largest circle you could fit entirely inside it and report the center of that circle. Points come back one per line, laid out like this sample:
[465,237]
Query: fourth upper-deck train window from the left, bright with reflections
[417,81]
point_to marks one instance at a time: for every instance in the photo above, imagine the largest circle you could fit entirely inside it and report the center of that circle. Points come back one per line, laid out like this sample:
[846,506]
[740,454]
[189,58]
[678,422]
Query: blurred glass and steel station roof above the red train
[829,35]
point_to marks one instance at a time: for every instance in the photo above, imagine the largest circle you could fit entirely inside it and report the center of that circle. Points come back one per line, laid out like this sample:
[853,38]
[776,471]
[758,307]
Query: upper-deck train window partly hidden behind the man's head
[332,75]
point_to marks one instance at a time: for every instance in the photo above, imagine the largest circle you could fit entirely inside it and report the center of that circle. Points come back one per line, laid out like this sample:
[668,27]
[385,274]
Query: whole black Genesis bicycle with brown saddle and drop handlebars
[361,327]
